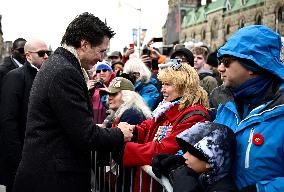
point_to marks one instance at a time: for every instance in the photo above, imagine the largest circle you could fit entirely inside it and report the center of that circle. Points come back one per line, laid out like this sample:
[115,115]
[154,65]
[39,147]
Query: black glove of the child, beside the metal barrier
[165,163]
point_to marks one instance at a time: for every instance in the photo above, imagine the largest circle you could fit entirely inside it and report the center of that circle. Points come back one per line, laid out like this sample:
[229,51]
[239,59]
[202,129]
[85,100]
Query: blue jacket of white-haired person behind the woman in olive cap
[149,92]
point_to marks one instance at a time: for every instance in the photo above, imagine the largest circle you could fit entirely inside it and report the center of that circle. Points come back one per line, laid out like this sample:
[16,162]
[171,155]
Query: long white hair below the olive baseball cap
[131,99]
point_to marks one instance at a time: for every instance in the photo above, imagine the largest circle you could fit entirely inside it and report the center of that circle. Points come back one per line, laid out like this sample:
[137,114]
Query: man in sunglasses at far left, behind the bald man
[17,59]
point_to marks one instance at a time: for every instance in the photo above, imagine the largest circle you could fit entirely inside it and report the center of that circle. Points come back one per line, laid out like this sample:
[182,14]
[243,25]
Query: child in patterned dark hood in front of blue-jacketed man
[206,163]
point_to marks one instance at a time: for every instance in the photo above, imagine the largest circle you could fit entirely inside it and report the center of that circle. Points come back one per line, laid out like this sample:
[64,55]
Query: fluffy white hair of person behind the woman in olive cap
[136,65]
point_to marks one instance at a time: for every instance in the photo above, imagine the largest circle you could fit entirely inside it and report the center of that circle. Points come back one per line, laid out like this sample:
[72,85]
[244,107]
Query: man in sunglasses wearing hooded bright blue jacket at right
[251,102]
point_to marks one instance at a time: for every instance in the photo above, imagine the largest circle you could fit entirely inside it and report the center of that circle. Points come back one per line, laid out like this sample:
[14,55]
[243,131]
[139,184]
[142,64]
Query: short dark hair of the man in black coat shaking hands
[86,27]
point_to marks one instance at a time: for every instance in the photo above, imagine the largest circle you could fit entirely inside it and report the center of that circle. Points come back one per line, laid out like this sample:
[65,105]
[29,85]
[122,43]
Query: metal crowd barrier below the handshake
[115,178]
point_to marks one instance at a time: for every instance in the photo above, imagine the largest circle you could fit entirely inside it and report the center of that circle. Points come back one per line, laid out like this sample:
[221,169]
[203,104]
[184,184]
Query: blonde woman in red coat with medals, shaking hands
[185,103]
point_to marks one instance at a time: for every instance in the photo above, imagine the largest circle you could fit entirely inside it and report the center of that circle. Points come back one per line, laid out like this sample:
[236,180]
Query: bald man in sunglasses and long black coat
[15,93]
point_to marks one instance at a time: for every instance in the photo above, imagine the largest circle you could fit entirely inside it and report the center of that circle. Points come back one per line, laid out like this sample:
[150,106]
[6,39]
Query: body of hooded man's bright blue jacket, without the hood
[262,164]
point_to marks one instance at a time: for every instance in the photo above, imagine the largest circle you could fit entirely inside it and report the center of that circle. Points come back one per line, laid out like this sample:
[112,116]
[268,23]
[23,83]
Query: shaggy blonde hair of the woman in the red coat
[186,81]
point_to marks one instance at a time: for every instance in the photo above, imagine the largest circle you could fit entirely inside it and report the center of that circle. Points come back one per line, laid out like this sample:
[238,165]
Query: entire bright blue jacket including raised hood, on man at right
[259,135]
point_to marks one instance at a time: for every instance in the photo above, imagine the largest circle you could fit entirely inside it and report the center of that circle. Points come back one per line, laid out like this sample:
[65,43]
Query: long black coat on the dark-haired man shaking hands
[60,132]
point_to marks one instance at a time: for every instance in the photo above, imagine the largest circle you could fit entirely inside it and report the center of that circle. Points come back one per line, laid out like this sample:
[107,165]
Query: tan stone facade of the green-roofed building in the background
[221,24]
